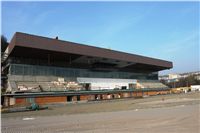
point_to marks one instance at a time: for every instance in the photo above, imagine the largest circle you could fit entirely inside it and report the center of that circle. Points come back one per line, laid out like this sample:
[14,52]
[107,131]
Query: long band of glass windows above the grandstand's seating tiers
[37,70]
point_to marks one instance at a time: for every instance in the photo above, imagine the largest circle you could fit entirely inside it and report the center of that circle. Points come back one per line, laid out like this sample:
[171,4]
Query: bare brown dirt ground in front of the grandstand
[177,113]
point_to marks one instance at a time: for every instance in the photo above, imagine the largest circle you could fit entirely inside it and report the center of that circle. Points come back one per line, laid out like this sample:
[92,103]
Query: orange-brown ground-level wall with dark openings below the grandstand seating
[27,100]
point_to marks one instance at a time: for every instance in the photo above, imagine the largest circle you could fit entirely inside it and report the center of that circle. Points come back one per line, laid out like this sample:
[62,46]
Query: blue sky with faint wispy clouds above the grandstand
[164,30]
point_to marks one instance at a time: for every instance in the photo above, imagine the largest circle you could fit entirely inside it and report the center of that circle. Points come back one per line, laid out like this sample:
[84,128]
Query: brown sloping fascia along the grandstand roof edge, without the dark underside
[44,43]
